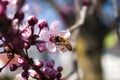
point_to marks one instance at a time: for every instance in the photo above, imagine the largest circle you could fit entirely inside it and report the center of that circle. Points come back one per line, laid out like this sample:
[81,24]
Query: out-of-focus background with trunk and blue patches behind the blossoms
[96,43]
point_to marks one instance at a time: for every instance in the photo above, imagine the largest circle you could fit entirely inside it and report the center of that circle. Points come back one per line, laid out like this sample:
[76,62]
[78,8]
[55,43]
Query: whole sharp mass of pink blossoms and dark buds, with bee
[16,38]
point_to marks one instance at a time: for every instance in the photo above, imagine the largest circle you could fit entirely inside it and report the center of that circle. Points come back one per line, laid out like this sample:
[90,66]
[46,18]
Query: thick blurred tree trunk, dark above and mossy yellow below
[89,46]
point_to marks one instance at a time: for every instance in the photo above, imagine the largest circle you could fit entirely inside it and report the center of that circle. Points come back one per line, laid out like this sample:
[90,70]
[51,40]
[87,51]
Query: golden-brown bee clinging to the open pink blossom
[60,40]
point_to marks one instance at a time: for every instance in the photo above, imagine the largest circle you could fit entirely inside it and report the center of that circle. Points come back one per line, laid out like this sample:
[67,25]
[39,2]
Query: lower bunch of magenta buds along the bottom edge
[43,71]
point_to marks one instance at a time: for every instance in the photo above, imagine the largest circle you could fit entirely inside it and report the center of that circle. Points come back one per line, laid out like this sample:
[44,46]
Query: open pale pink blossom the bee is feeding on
[48,36]
